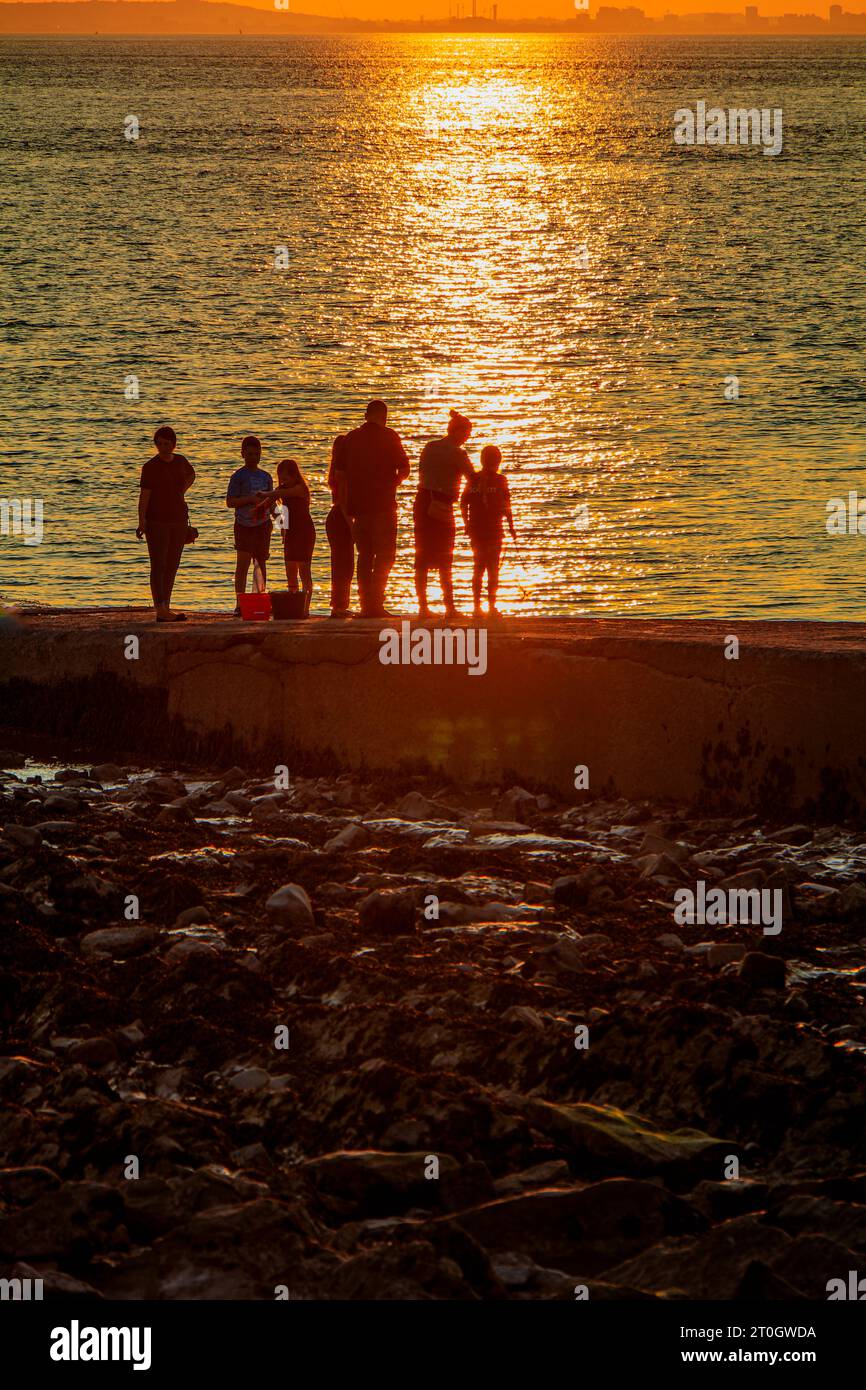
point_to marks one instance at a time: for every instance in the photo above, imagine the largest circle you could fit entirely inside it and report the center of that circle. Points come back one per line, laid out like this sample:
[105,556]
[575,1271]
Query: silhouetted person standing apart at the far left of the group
[163,519]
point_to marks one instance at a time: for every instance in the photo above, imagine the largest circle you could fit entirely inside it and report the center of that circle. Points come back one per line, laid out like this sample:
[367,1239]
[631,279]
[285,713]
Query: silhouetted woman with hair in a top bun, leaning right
[444,464]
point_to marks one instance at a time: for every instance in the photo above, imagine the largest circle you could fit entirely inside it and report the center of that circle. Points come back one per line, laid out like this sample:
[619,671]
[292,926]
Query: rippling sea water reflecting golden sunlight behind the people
[498,224]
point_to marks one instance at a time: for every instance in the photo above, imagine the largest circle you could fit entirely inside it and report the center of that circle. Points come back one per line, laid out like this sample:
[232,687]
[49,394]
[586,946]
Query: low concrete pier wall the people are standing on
[653,710]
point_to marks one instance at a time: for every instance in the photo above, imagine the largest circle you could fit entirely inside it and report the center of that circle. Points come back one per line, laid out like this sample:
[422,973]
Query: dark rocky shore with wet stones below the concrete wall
[361,1040]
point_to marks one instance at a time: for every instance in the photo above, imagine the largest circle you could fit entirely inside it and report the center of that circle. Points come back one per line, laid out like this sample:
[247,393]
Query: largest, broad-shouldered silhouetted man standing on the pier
[370,465]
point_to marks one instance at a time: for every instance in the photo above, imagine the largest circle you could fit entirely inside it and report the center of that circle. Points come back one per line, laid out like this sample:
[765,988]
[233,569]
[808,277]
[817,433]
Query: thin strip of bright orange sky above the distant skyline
[533,9]
